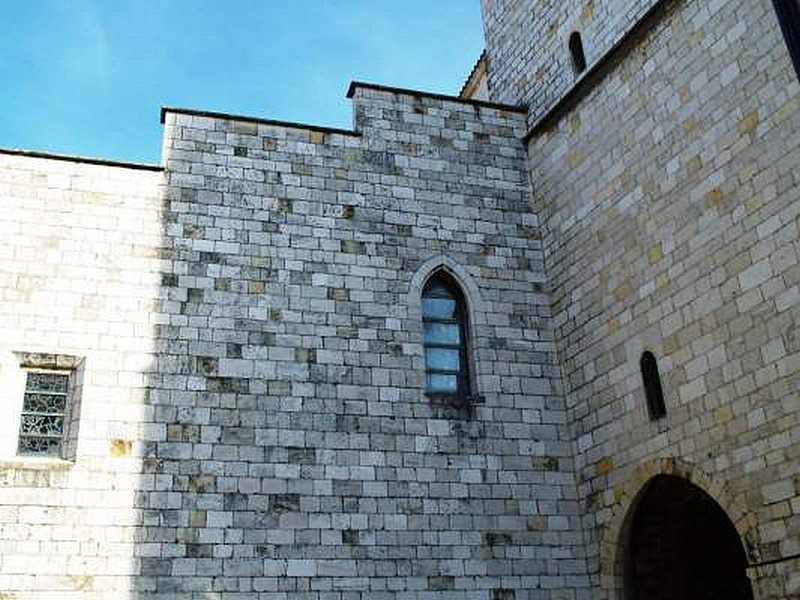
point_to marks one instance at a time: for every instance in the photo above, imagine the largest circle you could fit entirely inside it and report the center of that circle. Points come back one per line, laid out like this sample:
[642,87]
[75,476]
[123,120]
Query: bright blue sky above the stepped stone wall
[88,77]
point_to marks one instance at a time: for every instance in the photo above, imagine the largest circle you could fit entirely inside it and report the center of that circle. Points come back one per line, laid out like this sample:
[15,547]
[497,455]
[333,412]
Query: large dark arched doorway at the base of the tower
[682,546]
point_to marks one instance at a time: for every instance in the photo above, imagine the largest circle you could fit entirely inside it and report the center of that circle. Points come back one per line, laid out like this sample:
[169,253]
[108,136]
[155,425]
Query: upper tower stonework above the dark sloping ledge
[527,44]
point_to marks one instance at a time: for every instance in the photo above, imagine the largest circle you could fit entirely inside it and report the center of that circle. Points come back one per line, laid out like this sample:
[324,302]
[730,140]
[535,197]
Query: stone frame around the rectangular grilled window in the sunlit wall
[31,362]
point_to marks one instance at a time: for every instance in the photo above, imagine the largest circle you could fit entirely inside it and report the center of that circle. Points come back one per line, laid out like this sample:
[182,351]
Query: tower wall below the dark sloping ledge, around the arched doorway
[670,196]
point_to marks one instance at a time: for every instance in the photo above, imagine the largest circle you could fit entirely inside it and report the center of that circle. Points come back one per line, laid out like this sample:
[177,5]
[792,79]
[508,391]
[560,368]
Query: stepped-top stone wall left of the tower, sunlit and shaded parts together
[252,421]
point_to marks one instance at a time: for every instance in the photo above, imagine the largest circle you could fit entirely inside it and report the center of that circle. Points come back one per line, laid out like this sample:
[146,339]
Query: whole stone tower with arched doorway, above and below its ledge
[664,172]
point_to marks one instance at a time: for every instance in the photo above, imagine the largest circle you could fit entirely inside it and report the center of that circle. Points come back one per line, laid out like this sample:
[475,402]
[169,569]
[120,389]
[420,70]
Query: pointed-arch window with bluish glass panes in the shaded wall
[444,321]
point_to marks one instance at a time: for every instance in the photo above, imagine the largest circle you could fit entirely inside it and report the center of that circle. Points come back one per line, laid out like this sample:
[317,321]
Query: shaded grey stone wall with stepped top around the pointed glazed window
[296,453]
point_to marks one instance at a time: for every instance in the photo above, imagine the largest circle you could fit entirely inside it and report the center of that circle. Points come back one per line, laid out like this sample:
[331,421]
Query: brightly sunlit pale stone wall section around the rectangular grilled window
[79,272]
